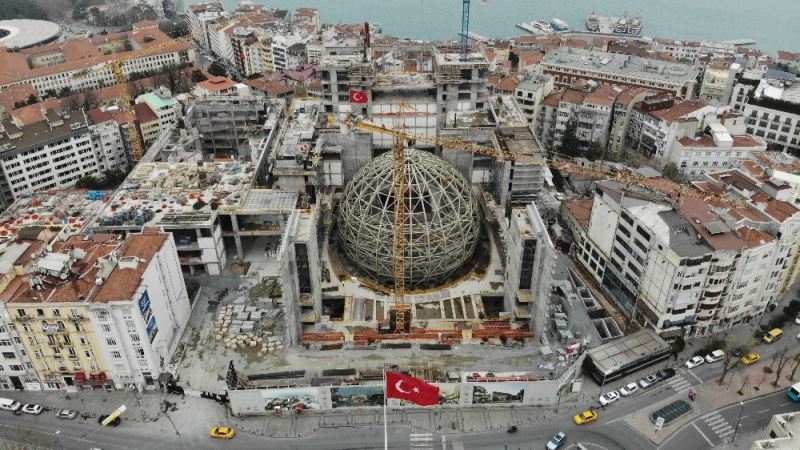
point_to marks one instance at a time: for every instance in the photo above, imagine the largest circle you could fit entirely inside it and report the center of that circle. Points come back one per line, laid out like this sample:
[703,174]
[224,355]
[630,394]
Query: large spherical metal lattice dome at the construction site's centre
[442,223]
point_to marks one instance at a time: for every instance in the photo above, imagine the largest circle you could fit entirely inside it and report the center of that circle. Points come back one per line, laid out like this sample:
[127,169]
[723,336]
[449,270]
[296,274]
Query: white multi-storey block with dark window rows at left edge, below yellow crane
[45,148]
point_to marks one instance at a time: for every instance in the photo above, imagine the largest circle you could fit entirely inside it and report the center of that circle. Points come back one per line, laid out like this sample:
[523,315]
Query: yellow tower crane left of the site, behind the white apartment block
[116,67]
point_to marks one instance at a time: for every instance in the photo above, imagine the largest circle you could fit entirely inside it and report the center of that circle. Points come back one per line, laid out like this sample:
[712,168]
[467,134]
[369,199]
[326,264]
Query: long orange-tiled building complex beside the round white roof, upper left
[73,66]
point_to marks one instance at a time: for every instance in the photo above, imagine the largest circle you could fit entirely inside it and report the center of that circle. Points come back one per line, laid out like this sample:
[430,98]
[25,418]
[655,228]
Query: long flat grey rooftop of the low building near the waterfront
[616,64]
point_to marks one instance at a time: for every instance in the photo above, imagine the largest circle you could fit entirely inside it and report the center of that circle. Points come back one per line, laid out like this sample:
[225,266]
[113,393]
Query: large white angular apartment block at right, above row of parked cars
[691,269]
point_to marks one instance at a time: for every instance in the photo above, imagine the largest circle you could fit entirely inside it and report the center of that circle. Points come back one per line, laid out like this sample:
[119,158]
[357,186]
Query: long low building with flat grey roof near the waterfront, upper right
[569,65]
